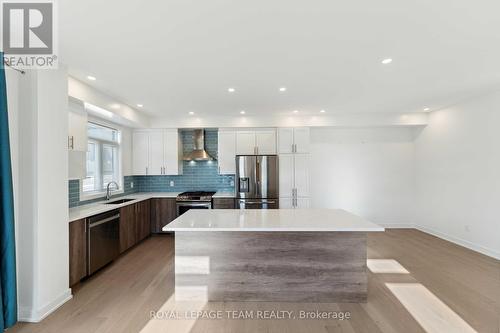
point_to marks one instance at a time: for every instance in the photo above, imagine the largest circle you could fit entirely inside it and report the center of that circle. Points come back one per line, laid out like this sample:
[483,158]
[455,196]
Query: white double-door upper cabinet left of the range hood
[157,152]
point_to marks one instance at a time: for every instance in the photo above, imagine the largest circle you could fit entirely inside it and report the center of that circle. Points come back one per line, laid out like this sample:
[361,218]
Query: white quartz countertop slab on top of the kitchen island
[271,220]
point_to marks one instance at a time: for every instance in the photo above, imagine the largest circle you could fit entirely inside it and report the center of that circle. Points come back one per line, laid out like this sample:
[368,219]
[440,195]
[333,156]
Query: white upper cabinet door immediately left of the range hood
[172,156]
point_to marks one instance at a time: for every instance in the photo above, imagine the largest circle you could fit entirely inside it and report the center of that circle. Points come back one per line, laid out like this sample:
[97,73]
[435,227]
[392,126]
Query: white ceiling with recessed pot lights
[183,55]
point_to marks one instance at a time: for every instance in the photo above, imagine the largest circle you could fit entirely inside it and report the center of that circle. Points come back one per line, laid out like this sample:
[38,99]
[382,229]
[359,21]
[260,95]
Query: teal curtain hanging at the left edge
[8,304]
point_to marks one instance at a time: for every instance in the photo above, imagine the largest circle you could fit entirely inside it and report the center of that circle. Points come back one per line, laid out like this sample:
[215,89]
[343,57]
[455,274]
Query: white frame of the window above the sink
[102,193]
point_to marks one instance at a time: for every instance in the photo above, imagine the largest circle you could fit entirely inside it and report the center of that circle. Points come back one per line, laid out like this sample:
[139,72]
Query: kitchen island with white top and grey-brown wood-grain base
[282,255]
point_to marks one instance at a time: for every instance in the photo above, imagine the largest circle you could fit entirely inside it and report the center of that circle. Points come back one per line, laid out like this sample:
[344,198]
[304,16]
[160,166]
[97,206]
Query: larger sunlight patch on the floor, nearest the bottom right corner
[429,311]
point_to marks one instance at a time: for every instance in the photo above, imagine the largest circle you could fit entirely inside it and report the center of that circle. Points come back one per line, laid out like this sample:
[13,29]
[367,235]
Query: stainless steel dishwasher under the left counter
[103,239]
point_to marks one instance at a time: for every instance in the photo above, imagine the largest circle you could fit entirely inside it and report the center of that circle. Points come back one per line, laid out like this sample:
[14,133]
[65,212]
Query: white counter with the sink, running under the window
[81,212]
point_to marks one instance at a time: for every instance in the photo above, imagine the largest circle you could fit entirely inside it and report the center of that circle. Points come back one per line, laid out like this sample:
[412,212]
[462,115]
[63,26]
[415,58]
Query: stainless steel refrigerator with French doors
[257,181]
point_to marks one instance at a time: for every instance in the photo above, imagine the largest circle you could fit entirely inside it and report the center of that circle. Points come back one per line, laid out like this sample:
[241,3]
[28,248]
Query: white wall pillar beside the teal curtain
[42,227]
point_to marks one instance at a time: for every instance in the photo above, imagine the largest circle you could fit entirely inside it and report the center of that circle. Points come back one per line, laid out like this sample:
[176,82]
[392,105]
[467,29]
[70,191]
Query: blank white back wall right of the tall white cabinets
[368,171]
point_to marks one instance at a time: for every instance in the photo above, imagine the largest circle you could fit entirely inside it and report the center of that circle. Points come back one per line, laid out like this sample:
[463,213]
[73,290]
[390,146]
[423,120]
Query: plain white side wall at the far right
[458,174]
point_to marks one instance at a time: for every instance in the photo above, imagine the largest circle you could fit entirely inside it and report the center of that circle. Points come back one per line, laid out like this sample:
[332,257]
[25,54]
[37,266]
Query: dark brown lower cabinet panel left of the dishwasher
[77,251]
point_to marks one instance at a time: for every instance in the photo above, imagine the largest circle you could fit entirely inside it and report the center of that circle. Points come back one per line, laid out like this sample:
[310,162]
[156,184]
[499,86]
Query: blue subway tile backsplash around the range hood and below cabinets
[196,176]
